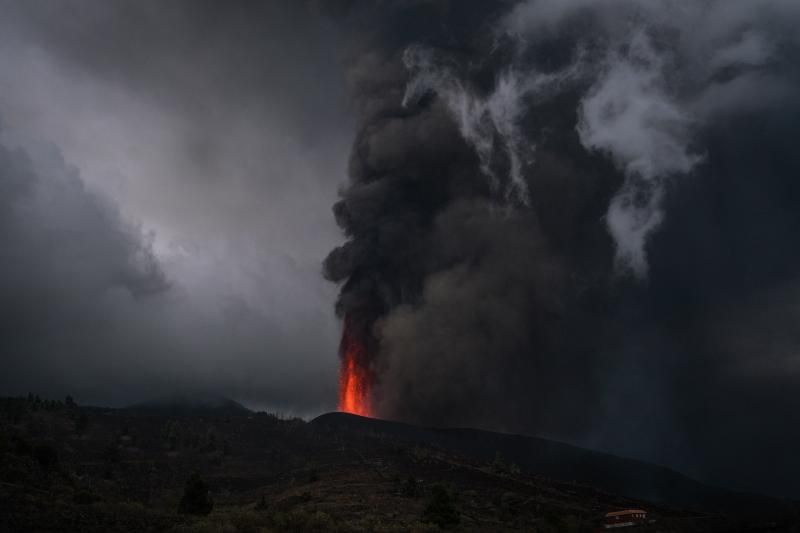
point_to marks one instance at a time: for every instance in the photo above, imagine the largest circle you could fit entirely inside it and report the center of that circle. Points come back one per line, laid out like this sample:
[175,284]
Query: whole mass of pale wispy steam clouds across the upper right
[642,100]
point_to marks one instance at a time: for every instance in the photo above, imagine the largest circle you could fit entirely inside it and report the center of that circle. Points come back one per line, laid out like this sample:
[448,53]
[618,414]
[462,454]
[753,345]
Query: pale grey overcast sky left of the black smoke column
[221,138]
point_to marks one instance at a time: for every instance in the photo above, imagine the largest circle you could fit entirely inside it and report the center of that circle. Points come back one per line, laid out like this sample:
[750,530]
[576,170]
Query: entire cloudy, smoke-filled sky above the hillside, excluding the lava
[558,217]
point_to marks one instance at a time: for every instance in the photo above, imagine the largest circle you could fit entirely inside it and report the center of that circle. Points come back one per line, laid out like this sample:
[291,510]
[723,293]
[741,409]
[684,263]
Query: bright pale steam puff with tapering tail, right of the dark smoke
[628,114]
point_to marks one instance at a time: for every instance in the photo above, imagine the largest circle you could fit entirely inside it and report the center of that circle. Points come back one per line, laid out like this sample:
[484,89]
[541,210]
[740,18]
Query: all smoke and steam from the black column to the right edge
[577,219]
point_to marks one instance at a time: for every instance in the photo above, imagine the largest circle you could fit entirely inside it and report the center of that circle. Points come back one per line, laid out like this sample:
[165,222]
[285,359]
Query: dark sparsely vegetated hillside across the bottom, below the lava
[69,468]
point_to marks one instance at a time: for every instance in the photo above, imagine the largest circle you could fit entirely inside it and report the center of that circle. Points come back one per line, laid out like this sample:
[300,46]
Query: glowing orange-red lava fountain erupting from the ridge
[355,380]
